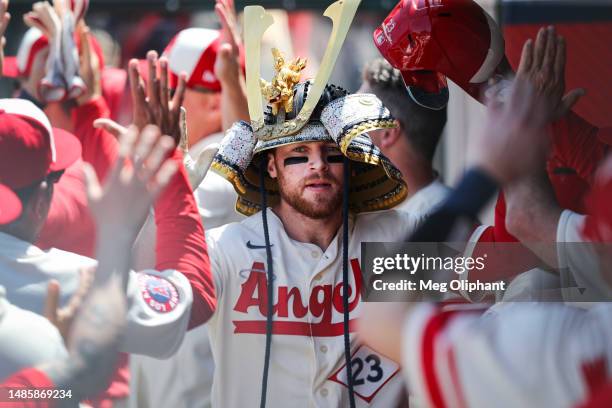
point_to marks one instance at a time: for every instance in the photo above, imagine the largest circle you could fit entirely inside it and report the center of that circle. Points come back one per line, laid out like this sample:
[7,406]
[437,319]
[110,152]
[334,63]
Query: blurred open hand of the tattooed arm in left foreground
[142,170]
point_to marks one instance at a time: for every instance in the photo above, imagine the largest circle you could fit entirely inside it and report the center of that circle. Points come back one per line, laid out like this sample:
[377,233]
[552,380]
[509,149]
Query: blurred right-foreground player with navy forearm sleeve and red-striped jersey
[521,354]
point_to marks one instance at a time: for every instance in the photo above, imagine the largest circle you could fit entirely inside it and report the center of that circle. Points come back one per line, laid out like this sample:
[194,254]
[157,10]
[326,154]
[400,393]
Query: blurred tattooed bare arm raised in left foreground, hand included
[93,352]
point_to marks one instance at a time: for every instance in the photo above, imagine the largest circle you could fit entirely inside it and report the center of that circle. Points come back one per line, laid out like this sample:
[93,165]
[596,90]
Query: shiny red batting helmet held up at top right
[428,40]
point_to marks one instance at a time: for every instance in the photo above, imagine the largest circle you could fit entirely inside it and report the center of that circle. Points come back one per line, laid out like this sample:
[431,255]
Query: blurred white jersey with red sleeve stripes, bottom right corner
[520,355]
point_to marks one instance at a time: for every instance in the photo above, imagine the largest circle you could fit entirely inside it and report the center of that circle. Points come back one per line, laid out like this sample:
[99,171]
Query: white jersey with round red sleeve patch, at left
[159,303]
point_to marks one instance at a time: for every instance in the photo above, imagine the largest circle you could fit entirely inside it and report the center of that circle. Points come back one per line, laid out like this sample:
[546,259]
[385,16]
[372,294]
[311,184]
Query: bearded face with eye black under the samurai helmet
[309,177]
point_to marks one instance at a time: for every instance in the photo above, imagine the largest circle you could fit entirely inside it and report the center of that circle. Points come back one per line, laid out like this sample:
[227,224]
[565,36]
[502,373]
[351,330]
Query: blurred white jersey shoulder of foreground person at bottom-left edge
[26,339]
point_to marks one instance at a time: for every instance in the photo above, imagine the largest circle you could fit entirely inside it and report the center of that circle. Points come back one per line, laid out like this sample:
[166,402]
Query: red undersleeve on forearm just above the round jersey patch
[181,245]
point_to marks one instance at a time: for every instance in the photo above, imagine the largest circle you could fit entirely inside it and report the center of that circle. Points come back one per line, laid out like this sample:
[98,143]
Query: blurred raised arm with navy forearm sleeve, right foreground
[511,129]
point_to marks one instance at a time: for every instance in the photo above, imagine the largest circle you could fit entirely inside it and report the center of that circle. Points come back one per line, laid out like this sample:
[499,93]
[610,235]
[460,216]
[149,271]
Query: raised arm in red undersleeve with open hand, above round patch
[180,244]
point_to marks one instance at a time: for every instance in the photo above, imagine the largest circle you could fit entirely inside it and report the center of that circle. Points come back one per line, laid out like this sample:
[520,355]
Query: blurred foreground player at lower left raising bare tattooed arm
[92,354]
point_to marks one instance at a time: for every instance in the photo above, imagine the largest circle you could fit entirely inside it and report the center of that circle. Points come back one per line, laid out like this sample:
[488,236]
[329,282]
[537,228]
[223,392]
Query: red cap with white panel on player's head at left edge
[30,148]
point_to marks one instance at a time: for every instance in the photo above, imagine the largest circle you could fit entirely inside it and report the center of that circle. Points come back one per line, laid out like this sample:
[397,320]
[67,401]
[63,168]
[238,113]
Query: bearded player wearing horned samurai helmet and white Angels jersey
[283,315]
